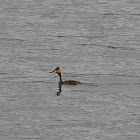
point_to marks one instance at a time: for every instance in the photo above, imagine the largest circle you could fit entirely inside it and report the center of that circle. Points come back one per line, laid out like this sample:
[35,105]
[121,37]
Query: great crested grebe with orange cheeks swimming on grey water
[69,82]
